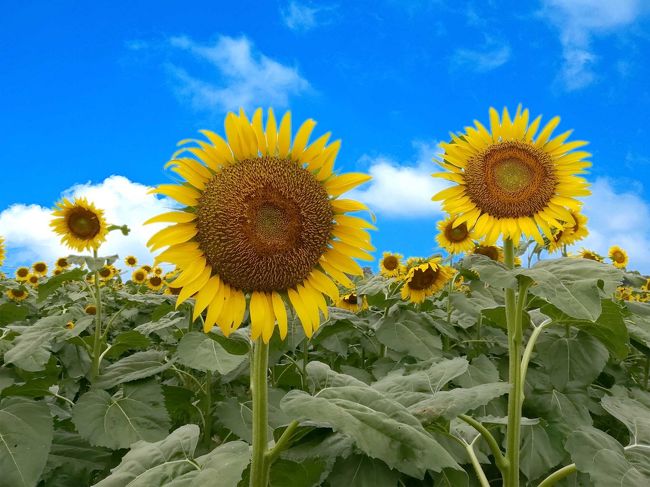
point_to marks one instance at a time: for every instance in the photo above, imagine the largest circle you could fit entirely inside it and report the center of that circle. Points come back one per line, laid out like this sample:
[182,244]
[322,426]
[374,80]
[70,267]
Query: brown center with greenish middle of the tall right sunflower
[511,179]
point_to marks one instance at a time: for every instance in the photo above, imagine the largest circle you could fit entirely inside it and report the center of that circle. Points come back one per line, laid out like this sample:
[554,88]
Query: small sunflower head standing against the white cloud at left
[80,224]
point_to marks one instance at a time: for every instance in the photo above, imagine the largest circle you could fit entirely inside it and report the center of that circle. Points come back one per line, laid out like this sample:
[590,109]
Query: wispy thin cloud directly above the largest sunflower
[245,77]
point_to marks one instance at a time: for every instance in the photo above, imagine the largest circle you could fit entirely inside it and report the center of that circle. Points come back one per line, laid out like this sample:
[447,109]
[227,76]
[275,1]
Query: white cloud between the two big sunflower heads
[402,191]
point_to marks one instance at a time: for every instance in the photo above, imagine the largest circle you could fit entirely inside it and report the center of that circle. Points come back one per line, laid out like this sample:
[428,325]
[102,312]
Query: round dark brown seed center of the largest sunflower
[264,223]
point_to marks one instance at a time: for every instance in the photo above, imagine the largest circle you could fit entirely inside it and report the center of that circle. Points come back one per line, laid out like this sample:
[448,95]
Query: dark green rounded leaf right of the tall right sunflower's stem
[572,362]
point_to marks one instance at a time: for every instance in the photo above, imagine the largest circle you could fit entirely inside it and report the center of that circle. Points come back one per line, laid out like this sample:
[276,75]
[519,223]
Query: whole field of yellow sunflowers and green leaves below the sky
[255,350]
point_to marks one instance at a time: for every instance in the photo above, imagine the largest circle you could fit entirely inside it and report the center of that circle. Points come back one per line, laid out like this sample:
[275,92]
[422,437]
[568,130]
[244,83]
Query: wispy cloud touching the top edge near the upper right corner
[578,22]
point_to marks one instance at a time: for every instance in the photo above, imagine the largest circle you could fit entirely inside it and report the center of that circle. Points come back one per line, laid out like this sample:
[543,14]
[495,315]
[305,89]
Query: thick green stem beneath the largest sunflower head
[260,468]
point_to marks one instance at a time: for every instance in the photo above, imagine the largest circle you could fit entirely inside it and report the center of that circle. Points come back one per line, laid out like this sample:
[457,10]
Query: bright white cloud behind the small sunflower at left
[29,237]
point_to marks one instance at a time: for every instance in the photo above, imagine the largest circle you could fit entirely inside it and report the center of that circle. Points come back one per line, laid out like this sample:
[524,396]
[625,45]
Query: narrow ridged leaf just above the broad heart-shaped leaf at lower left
[134,367]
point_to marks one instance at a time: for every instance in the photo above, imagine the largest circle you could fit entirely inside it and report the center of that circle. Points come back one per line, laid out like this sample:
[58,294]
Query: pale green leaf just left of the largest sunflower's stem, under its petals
[201,352]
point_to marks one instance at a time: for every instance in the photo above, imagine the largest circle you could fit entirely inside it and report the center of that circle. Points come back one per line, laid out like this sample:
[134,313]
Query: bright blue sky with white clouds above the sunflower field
[105,90]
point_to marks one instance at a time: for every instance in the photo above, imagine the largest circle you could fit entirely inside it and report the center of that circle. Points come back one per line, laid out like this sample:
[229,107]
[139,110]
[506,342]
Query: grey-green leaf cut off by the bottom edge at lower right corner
[602,457]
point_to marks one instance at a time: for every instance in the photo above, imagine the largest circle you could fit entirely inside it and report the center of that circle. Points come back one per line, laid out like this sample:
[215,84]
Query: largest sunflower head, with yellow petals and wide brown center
[262,219]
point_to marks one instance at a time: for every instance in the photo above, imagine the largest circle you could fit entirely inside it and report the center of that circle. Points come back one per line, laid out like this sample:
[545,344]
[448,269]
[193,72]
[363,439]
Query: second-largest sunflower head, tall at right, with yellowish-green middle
[509,182]
